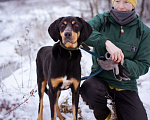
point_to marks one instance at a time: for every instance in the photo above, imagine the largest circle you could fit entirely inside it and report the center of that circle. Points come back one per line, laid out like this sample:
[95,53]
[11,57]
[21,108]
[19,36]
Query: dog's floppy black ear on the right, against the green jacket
[86,30]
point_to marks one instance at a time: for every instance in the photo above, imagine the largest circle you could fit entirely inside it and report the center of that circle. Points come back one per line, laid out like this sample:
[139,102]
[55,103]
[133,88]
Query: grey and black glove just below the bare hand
[119,70]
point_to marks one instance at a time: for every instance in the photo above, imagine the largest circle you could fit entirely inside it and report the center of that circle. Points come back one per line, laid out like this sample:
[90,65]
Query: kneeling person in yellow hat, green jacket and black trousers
[122,34]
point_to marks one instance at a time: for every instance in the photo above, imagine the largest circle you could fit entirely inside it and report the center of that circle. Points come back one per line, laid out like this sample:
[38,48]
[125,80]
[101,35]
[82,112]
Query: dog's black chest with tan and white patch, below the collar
[65,67]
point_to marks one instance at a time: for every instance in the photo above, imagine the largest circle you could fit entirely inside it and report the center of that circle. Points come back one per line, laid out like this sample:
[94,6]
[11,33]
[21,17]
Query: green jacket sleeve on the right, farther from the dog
[141,63]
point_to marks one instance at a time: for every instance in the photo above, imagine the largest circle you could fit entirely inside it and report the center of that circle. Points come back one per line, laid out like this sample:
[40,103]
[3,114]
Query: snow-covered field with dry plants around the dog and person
[23,27]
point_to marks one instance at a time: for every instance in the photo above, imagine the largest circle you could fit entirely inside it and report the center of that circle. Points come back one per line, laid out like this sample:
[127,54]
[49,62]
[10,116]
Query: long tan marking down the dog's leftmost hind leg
[40,116]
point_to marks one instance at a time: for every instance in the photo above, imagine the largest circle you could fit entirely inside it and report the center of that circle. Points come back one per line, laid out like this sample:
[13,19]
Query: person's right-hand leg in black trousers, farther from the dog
[129,106]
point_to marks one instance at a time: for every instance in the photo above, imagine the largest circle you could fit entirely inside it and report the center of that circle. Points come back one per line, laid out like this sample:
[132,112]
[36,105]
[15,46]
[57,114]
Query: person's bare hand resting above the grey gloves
[115,52]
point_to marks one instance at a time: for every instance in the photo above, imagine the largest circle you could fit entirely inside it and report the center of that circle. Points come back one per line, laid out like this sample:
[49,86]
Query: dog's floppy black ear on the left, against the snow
[53,29]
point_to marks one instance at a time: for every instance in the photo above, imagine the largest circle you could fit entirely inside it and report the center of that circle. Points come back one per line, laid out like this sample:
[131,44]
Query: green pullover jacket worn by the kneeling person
[134,43]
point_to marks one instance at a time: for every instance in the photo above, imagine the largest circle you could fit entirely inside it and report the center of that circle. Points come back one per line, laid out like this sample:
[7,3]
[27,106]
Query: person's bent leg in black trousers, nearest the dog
[93,92]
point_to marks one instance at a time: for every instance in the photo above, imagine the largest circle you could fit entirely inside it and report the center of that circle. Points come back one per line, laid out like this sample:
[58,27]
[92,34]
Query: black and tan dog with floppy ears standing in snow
[59,65]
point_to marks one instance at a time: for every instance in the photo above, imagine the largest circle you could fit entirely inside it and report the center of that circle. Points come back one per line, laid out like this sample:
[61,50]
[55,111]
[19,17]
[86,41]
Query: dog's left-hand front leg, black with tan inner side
[52,99]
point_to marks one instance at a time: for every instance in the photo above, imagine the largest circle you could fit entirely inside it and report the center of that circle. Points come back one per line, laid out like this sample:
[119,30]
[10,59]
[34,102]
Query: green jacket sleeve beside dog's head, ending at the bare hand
[97,39]
